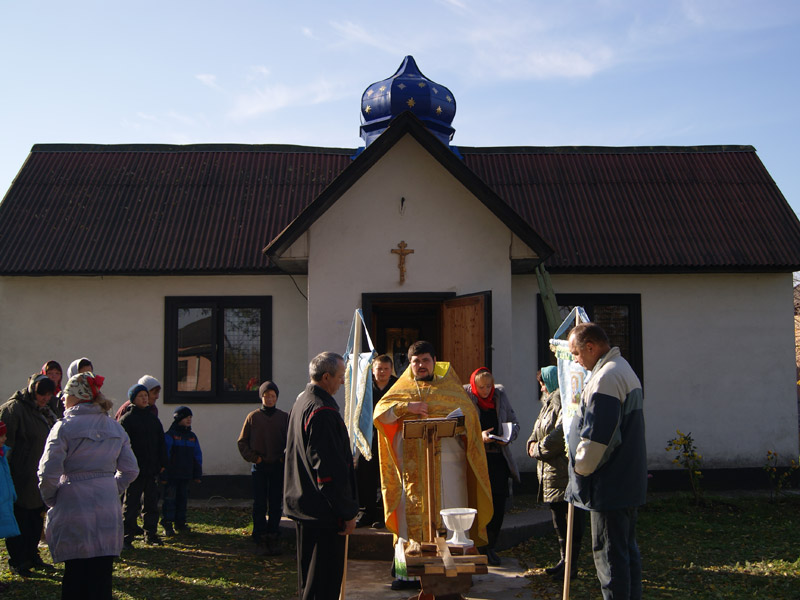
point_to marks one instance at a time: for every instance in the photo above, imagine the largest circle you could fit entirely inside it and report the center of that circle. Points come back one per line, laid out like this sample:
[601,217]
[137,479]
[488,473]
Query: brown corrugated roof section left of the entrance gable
[156,209]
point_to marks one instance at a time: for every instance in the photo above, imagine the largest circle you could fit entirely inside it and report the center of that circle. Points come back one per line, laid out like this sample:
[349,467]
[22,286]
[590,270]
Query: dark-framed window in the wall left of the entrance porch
[216,349]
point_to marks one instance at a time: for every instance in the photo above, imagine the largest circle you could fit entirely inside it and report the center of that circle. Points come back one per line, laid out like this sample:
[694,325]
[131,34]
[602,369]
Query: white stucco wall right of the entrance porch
[718,361]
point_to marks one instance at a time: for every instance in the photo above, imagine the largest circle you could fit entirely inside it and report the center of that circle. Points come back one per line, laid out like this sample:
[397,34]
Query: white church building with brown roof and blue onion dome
[214,267]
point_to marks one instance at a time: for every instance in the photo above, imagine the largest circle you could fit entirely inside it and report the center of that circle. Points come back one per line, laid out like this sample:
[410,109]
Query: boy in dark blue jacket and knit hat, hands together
[184,464]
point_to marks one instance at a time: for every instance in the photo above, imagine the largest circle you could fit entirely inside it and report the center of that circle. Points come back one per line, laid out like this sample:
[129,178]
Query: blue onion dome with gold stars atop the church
[407,89]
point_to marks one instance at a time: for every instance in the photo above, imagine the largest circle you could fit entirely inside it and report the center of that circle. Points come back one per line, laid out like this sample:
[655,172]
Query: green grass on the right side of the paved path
[729,547]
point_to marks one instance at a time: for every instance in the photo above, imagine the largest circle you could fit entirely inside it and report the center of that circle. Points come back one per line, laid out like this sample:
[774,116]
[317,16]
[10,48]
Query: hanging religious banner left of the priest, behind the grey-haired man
[358,388]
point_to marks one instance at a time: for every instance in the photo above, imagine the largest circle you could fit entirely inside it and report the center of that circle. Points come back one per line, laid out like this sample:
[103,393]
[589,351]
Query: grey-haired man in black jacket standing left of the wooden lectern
[319,483]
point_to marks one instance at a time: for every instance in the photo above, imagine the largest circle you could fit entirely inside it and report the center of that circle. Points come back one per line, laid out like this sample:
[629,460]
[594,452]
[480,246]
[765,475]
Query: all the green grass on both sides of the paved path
[743,546]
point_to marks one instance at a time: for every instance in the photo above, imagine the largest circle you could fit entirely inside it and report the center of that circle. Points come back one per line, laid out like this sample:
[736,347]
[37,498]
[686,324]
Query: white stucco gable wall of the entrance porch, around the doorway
[459,246]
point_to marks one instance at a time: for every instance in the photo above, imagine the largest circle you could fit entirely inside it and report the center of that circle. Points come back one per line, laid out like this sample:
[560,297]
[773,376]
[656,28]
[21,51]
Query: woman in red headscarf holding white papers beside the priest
[499,428]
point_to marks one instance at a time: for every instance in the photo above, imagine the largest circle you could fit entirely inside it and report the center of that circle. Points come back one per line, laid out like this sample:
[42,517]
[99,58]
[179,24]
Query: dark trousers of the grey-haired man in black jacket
[320,561]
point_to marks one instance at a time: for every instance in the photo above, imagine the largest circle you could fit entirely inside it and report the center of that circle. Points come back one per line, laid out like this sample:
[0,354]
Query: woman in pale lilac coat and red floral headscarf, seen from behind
[86,465]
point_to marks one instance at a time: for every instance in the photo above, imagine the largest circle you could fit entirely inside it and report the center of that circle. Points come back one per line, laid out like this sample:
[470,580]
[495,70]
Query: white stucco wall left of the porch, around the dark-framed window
[118,322]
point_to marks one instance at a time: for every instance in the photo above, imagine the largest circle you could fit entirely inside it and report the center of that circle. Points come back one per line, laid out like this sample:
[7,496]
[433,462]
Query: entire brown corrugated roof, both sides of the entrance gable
[136,209]
